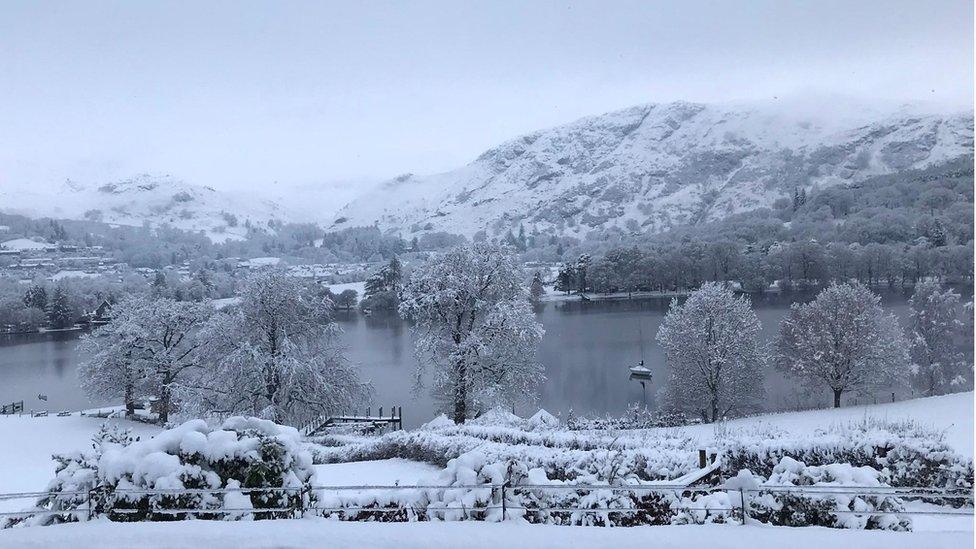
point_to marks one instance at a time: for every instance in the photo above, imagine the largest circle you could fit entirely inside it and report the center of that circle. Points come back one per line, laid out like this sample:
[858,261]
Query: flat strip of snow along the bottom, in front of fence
[316,532]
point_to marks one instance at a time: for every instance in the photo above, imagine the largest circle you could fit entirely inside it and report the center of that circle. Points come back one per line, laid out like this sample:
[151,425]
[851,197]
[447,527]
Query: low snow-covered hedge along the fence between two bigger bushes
[472,492]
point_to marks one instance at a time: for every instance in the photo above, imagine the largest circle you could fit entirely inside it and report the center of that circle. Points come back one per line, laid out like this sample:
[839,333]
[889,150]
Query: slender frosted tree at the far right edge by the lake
[937,365]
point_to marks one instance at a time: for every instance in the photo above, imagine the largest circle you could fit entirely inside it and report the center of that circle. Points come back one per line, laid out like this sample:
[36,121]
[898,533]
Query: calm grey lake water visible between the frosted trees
[587,350]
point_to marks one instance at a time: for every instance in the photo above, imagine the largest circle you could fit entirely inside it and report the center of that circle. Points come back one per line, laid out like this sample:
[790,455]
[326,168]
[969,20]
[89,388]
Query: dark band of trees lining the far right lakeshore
[687,264]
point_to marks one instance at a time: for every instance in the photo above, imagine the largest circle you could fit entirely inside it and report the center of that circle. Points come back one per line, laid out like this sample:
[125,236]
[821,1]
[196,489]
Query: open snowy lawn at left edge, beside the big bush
[25,457]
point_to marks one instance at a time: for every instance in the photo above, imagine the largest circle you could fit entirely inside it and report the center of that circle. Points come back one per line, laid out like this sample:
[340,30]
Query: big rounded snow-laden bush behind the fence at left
[241,455]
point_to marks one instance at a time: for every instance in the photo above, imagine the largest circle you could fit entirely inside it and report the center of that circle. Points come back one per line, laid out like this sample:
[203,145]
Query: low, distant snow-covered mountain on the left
[156,200]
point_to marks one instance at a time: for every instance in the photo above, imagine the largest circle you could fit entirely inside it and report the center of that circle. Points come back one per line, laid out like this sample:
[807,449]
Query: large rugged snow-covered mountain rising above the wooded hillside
[654,166]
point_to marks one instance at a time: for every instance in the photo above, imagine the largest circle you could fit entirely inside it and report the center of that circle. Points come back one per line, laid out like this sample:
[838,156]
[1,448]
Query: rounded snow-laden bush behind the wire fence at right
[831,506]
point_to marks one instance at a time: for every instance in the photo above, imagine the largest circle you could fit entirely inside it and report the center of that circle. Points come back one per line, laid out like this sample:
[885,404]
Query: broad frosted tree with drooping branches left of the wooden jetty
[276,355]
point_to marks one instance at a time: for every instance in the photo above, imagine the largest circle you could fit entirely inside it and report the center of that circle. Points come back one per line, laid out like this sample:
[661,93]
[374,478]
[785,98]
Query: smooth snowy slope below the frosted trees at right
[952,413]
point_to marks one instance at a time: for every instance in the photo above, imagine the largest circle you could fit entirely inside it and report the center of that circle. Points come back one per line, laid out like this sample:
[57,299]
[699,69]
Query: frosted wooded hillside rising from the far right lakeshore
[891,230]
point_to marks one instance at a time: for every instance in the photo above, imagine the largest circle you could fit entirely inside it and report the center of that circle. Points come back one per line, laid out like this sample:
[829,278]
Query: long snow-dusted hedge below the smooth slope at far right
[905,454]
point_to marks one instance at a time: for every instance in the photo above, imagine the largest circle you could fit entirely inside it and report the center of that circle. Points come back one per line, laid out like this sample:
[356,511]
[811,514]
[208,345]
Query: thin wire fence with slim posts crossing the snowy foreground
[87,501]
